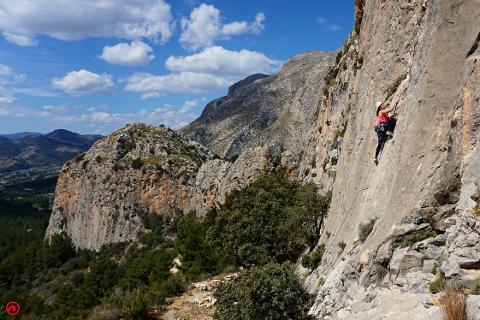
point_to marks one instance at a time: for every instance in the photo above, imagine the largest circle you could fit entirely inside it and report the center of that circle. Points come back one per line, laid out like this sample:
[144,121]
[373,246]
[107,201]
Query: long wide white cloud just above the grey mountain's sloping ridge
[213,69]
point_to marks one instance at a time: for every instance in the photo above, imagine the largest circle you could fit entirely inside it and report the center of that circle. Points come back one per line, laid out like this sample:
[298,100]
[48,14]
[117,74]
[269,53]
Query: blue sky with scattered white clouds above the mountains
[92,66]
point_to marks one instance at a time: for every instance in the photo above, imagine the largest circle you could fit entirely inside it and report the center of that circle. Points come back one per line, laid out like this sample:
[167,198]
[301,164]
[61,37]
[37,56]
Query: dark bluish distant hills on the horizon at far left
[27,151]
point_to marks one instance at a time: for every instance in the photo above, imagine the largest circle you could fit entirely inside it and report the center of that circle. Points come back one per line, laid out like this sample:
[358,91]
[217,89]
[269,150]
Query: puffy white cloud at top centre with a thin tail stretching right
[205,25]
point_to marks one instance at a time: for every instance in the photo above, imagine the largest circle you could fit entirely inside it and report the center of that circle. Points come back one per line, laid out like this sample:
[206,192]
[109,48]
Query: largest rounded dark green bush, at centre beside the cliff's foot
[273,219]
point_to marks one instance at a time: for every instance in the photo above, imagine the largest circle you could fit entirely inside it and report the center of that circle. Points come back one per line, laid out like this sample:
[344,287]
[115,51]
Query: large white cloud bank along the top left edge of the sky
[22,20]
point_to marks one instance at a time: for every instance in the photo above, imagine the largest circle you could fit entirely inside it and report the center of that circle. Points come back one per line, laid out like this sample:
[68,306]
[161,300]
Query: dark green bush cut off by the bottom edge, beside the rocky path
[271,292]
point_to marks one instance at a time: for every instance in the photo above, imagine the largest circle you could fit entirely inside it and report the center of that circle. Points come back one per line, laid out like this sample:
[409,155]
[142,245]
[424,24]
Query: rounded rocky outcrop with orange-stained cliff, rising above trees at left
[102,194]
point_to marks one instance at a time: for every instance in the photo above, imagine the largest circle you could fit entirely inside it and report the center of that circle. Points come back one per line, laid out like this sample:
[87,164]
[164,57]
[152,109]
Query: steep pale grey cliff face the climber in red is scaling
[423,55]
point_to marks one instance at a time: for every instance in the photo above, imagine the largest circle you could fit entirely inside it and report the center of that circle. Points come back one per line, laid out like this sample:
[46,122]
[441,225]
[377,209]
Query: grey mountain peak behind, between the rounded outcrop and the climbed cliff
[276,110]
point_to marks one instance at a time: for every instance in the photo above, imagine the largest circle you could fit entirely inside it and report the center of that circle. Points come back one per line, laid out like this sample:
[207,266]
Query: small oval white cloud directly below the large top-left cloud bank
[136,53]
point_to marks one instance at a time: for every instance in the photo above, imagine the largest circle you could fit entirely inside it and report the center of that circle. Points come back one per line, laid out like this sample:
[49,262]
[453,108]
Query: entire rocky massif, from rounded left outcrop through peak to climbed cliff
[393,229]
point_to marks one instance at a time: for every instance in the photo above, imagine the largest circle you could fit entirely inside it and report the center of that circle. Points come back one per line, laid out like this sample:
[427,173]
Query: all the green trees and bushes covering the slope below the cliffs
[263,227]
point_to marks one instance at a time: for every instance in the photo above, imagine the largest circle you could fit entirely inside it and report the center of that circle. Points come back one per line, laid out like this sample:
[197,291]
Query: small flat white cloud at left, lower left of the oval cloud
[82,82]
